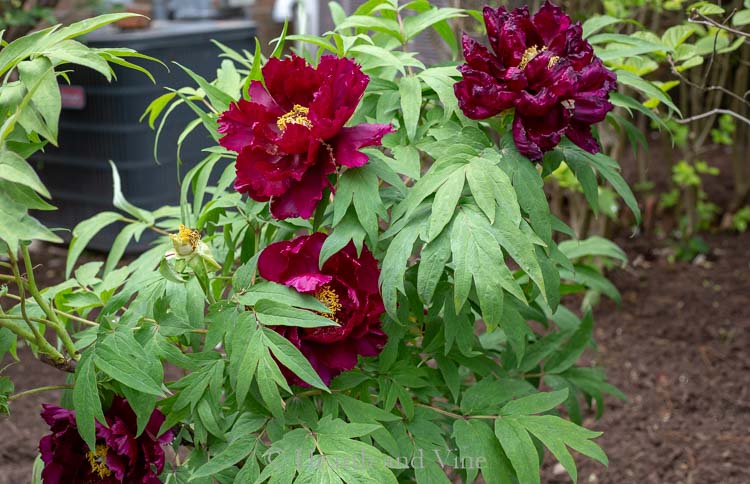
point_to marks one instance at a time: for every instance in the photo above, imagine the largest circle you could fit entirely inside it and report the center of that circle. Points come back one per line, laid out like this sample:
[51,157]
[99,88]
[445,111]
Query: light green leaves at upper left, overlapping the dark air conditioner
[29,110]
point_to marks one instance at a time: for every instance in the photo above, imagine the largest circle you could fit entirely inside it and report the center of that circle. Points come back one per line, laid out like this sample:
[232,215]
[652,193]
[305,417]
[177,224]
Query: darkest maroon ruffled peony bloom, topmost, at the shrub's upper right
[543,68]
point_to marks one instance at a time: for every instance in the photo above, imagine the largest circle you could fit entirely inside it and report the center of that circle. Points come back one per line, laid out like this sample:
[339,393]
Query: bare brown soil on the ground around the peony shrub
[679,348]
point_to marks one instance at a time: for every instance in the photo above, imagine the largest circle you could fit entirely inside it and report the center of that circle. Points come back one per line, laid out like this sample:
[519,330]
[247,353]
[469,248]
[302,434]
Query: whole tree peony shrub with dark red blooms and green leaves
[362,281]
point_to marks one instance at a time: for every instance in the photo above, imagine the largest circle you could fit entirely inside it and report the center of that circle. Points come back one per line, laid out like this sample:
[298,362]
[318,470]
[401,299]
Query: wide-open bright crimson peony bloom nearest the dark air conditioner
[290,136]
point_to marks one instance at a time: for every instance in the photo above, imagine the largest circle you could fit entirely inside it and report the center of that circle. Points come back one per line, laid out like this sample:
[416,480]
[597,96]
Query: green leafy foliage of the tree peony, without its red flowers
[482,351]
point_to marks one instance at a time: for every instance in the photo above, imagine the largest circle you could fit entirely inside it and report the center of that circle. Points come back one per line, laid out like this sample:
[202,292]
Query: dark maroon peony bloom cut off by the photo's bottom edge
[118,457]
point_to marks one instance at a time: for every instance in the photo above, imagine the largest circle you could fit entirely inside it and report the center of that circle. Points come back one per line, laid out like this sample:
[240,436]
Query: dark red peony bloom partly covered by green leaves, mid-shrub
[347,285]
